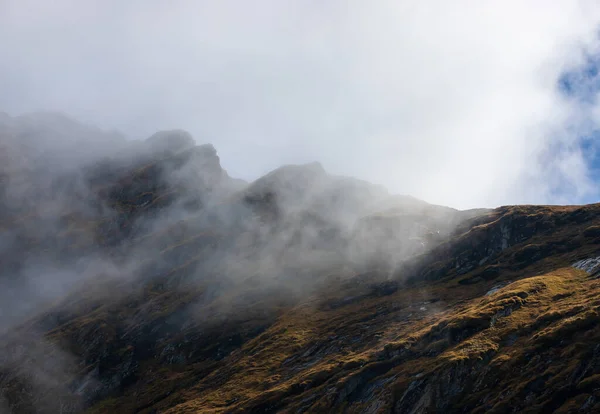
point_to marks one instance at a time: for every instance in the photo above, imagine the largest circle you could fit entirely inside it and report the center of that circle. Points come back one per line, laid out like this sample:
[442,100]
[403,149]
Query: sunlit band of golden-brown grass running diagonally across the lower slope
[271,367]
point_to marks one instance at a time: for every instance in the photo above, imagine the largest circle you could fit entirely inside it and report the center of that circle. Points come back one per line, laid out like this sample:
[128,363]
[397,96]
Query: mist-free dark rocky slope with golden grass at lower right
[367,344]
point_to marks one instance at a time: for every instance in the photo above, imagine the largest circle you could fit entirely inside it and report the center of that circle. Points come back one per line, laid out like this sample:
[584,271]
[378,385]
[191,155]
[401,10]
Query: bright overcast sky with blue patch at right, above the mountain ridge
[455,102]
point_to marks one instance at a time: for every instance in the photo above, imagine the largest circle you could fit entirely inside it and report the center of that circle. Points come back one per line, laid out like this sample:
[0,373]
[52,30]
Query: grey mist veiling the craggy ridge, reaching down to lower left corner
[159,230]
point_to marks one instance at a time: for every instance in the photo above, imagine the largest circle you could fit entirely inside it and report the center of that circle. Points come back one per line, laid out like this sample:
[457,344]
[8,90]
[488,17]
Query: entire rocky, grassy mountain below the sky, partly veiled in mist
[139,277]
